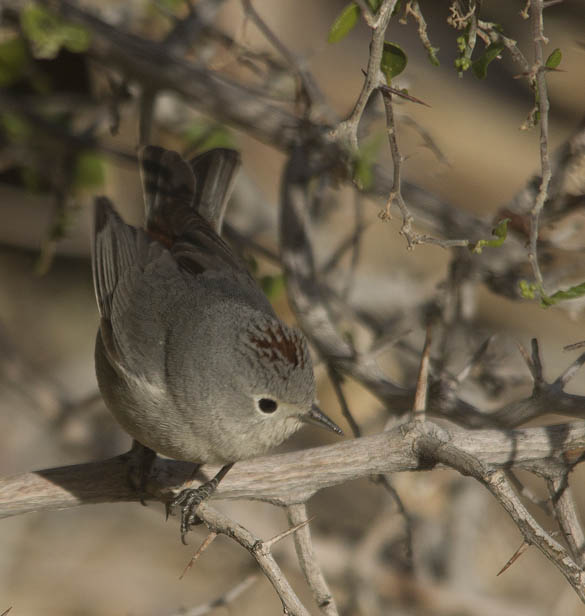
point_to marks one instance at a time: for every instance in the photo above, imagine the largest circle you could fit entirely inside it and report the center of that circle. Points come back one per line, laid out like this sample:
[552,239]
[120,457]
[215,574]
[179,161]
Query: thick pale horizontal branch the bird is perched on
[291,478]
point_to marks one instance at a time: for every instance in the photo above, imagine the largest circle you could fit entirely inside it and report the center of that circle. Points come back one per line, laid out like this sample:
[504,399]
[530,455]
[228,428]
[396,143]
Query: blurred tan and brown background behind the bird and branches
[69,130]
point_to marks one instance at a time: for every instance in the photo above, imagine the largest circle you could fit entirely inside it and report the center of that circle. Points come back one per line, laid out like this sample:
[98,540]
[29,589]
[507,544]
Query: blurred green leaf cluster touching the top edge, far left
[48,33]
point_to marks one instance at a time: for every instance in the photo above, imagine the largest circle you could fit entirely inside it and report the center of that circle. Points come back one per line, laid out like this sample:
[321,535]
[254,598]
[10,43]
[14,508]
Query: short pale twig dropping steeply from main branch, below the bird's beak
[297,518]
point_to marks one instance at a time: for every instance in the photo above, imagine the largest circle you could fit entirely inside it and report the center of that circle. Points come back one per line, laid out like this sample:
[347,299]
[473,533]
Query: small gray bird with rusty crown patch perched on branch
[190,356]
